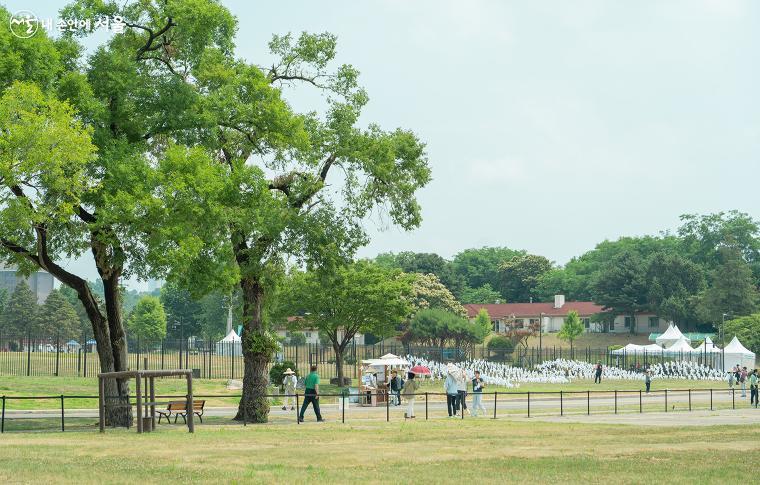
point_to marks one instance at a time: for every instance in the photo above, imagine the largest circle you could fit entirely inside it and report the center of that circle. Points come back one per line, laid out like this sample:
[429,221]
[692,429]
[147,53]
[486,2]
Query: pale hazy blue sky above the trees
[550,125]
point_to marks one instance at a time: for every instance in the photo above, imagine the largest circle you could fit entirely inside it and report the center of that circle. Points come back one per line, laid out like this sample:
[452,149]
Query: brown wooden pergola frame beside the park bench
[146,395]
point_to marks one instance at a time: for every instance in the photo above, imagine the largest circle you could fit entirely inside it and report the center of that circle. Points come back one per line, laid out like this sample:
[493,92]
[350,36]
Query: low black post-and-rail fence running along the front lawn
[429,405]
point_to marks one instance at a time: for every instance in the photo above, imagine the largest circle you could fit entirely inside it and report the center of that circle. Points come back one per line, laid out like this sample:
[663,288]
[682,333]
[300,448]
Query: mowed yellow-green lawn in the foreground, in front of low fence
[443,451]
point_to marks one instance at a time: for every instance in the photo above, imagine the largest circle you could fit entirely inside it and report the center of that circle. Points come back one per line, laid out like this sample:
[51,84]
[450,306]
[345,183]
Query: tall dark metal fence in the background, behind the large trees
[54,356]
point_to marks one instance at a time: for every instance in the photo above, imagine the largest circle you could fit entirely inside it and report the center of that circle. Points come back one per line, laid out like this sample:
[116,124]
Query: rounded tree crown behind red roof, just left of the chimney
[520,276]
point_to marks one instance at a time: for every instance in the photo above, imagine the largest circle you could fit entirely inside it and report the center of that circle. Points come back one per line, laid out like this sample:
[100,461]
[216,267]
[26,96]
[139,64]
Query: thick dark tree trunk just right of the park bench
[254,406]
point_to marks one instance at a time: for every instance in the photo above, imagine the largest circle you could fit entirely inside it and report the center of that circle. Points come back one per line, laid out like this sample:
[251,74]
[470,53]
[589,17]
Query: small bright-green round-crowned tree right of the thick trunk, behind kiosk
[358,298]
